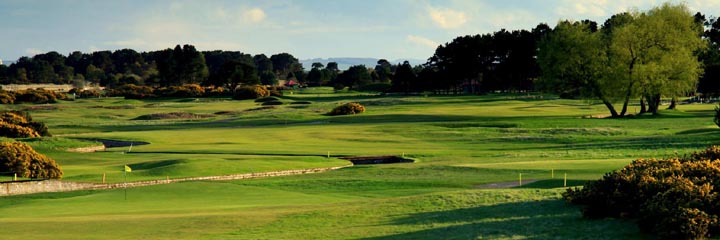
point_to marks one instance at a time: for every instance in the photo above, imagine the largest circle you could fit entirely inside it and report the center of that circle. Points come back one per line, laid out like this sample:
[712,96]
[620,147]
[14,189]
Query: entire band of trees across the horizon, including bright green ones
[646,55]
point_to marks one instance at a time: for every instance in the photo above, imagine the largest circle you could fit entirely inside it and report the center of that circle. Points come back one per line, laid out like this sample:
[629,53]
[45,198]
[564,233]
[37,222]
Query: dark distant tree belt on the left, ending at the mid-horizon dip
[163,68]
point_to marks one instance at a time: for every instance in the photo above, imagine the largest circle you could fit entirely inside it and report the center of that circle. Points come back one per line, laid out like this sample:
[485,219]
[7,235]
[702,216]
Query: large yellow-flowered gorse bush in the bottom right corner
[675,198]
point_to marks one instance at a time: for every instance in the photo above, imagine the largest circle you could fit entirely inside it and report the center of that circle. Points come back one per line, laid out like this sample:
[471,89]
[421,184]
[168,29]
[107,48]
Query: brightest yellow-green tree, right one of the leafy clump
[659,51]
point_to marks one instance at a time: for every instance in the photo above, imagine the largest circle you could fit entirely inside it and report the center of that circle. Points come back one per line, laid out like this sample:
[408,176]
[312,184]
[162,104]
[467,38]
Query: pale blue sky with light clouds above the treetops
[390,29]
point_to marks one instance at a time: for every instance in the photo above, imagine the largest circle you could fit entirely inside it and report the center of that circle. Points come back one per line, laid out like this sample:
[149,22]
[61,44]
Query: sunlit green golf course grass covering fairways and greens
[460,142]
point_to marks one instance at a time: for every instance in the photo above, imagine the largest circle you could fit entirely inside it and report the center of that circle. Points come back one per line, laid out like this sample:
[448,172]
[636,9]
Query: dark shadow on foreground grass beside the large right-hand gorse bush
[547,219]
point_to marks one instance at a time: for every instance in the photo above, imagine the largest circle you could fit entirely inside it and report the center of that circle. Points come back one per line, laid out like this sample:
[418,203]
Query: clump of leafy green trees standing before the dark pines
[649,54]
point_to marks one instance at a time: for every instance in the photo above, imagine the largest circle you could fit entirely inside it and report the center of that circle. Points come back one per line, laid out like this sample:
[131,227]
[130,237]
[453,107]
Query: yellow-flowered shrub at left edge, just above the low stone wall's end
[20,158]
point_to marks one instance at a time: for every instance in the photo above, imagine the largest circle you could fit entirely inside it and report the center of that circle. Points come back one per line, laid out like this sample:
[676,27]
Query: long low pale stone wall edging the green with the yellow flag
[29,187]
